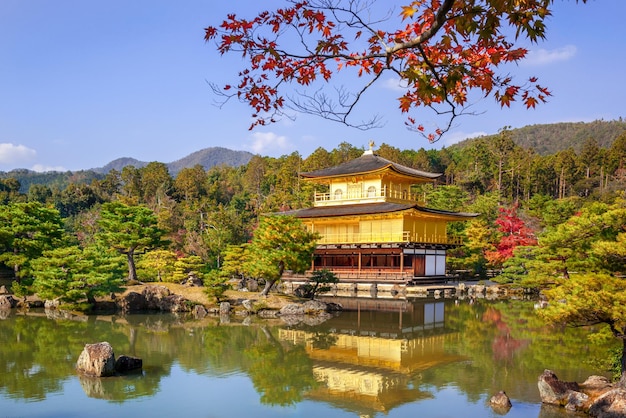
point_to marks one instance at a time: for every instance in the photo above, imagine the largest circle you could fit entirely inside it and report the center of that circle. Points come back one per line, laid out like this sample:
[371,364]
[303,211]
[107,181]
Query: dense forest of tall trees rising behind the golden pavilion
[203,211]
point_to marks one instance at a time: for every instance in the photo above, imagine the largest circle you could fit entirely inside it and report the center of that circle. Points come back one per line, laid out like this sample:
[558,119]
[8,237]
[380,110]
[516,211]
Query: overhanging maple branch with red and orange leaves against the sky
[439,50]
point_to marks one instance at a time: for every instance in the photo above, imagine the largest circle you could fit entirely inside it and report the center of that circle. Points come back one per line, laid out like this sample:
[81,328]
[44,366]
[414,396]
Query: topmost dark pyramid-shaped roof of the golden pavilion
[365,164]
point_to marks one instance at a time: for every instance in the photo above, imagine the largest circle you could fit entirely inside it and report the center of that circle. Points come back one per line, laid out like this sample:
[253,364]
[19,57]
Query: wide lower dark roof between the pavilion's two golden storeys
[370,208]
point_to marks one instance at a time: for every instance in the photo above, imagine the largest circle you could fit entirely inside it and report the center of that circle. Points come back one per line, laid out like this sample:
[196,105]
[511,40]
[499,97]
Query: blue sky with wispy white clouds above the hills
[83,82]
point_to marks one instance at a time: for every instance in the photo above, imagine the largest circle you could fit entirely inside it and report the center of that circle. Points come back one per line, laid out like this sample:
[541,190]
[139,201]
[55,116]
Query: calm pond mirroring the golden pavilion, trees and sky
[391,358]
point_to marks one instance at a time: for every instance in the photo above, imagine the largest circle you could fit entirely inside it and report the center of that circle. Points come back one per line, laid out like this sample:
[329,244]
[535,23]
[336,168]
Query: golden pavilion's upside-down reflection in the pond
[369,358]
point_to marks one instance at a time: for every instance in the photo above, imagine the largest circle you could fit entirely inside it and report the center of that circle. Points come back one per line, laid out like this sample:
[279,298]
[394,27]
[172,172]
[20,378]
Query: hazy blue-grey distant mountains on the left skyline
[207,158]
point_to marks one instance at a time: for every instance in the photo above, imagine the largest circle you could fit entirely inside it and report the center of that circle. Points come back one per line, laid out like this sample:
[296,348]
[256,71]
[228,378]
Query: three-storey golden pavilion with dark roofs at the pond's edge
[373,226]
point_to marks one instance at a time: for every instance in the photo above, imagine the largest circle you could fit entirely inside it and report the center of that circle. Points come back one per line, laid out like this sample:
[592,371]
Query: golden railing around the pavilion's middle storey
[387,237]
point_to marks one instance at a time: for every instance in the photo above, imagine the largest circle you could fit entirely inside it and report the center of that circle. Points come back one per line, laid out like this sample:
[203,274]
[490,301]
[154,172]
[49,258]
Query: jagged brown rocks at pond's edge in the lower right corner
[595,396]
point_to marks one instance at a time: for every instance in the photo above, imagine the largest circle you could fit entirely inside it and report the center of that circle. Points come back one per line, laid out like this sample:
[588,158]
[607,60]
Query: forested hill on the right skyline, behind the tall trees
[551,138]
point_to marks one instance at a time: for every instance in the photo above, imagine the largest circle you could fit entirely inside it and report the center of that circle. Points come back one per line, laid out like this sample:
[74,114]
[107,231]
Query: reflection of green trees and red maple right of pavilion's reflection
[509,346]
